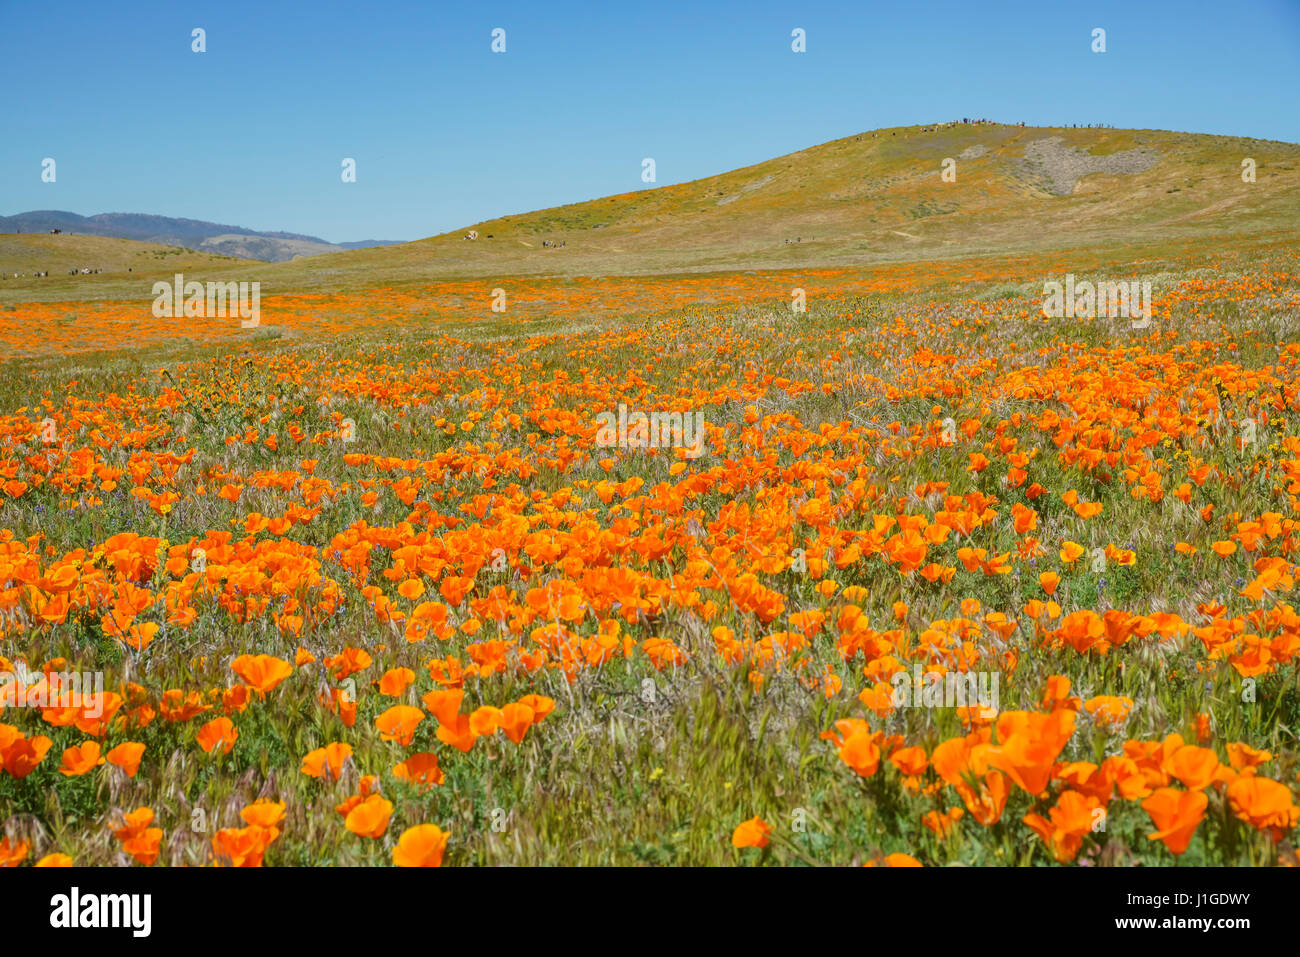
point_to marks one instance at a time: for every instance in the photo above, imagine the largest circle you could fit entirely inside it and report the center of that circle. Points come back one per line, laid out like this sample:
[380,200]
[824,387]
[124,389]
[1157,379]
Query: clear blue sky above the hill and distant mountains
[447,133]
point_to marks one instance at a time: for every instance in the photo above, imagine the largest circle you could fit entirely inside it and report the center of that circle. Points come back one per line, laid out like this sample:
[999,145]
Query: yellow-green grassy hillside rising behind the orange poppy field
[870,198]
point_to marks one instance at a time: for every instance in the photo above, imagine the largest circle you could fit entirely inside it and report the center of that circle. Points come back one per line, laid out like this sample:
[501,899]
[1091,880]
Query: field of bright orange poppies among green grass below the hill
[947,582]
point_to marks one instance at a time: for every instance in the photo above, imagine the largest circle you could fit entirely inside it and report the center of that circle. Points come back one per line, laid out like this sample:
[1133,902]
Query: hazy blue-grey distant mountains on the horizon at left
[192,235]
